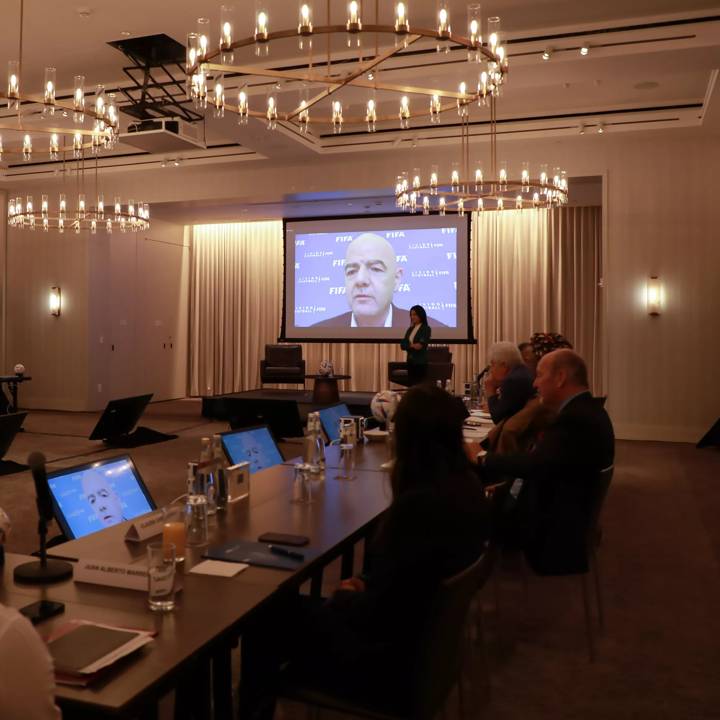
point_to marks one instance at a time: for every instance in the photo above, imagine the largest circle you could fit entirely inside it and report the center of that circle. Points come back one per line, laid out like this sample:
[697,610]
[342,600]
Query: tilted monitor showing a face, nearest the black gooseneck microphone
[91,497]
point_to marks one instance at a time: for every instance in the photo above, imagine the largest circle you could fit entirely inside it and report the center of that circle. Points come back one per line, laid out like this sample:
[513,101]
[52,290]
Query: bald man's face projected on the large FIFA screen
[371,278]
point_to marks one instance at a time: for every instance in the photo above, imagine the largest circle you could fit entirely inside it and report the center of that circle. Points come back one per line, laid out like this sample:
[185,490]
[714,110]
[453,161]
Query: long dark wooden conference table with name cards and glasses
[195,640]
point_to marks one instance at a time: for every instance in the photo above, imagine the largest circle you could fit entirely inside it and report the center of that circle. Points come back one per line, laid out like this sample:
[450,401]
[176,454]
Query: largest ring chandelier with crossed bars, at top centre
[207,68]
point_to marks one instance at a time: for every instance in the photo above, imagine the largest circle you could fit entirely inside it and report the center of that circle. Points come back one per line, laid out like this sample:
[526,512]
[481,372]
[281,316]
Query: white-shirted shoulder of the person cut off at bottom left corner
[27,682]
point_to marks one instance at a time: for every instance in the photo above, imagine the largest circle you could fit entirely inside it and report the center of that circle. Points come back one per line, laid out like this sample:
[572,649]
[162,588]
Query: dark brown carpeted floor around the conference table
[660,656]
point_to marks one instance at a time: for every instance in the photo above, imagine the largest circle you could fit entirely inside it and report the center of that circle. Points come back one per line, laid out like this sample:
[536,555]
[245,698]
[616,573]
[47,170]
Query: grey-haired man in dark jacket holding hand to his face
[509,383]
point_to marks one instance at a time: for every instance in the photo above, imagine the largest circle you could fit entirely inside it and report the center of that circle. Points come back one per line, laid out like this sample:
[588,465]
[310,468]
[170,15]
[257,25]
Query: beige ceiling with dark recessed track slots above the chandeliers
[652,64]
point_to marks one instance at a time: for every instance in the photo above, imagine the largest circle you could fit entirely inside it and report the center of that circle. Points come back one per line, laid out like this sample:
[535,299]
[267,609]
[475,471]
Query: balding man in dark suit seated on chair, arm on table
[552,510]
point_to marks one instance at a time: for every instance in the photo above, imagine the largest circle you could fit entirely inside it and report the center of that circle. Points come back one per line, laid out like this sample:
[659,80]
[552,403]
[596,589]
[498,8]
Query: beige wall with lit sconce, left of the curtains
[123,327]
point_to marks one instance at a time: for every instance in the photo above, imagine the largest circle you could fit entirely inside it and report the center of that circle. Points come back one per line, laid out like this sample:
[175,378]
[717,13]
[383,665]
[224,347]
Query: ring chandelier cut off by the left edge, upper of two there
[62,125]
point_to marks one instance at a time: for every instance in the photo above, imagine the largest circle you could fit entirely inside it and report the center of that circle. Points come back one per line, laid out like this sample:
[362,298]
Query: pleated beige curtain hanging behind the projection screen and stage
[531,271]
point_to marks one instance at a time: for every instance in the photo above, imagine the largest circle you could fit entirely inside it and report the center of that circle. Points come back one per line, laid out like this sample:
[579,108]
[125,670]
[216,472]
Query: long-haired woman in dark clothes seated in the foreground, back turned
[362,641]
